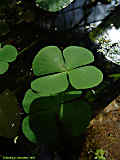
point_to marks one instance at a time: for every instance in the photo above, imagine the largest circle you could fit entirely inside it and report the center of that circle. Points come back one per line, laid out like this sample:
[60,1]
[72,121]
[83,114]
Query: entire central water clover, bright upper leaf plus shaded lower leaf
[52,93]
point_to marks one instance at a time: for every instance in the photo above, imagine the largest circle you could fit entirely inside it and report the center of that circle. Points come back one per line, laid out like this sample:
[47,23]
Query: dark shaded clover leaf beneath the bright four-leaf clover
[40,126]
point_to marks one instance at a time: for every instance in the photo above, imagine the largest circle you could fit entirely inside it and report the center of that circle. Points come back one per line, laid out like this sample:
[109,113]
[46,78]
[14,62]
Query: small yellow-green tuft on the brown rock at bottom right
[99,154]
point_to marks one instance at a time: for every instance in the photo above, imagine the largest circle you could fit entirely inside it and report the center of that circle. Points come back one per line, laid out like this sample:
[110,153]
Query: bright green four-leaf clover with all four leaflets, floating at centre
[64,69]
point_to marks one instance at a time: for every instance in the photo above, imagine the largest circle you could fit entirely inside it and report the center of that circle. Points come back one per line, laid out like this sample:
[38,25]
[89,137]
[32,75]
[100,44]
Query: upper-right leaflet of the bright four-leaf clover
[77,56]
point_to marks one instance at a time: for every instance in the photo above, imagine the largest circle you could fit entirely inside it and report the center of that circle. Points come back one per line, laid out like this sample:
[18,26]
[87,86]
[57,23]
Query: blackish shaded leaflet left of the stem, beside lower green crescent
[44,126]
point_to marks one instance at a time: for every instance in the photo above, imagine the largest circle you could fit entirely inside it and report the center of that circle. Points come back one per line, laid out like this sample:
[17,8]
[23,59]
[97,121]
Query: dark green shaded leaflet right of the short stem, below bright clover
[76,117]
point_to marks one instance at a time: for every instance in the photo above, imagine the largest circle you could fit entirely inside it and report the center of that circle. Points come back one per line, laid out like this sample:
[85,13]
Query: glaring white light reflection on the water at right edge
[109,42]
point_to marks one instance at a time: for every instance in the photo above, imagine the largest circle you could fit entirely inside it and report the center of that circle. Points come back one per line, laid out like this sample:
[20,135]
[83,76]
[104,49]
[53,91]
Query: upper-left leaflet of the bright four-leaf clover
[48,60]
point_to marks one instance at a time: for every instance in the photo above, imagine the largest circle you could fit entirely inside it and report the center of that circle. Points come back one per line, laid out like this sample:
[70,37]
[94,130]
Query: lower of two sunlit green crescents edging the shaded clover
[27,130]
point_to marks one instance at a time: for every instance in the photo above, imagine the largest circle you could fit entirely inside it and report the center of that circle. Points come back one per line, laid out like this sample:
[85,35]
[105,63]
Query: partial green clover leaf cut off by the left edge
[7,54]
